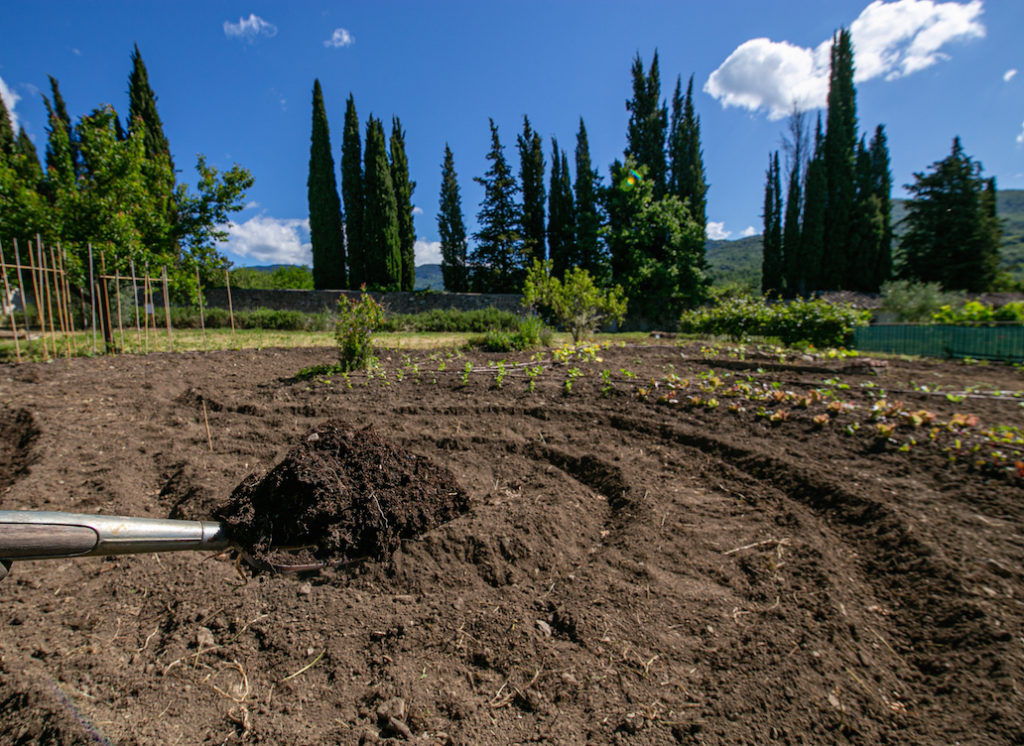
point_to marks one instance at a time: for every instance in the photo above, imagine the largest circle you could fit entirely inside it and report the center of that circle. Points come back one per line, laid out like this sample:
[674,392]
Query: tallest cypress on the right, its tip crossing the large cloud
[841,146]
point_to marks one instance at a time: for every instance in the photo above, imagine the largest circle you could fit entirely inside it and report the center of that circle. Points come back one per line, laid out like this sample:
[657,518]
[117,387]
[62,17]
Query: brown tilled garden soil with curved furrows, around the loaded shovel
[700,569]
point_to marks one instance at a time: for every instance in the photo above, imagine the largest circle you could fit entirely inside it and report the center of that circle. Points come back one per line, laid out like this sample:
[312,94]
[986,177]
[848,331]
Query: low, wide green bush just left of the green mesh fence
[818,323]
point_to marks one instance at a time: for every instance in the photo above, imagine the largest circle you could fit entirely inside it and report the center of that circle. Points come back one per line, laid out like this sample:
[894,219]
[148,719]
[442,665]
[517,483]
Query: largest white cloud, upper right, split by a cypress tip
[890,39]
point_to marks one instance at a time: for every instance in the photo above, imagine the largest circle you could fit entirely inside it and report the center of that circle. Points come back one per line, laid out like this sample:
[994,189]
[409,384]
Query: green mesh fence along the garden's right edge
[992,343]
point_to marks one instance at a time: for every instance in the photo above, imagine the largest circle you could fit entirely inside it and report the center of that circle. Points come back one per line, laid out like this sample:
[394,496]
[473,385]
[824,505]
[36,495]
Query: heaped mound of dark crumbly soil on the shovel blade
[344,494]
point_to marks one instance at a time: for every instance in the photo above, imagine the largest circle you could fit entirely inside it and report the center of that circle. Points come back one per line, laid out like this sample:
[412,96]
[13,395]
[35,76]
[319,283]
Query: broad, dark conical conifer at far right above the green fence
[953,232]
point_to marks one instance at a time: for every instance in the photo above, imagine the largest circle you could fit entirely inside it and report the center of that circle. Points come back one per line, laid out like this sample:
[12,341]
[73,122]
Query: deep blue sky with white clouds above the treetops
[234,81]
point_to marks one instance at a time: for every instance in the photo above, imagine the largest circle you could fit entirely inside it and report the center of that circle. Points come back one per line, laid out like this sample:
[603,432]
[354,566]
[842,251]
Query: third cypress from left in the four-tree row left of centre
[380,227]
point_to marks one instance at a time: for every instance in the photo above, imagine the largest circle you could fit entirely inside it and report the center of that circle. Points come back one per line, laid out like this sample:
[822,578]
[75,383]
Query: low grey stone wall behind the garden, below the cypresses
[317,301]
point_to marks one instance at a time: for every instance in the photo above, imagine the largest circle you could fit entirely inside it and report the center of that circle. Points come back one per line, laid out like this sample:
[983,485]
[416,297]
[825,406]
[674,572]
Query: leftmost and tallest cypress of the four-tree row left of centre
[326,232]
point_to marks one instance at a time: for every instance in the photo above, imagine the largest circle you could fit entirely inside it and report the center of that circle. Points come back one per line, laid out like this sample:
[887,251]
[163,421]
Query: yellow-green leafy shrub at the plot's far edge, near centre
[574,302]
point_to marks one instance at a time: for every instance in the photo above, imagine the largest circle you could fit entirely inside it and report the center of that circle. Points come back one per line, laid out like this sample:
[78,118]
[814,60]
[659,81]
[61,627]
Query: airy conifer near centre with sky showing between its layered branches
[498,262]
